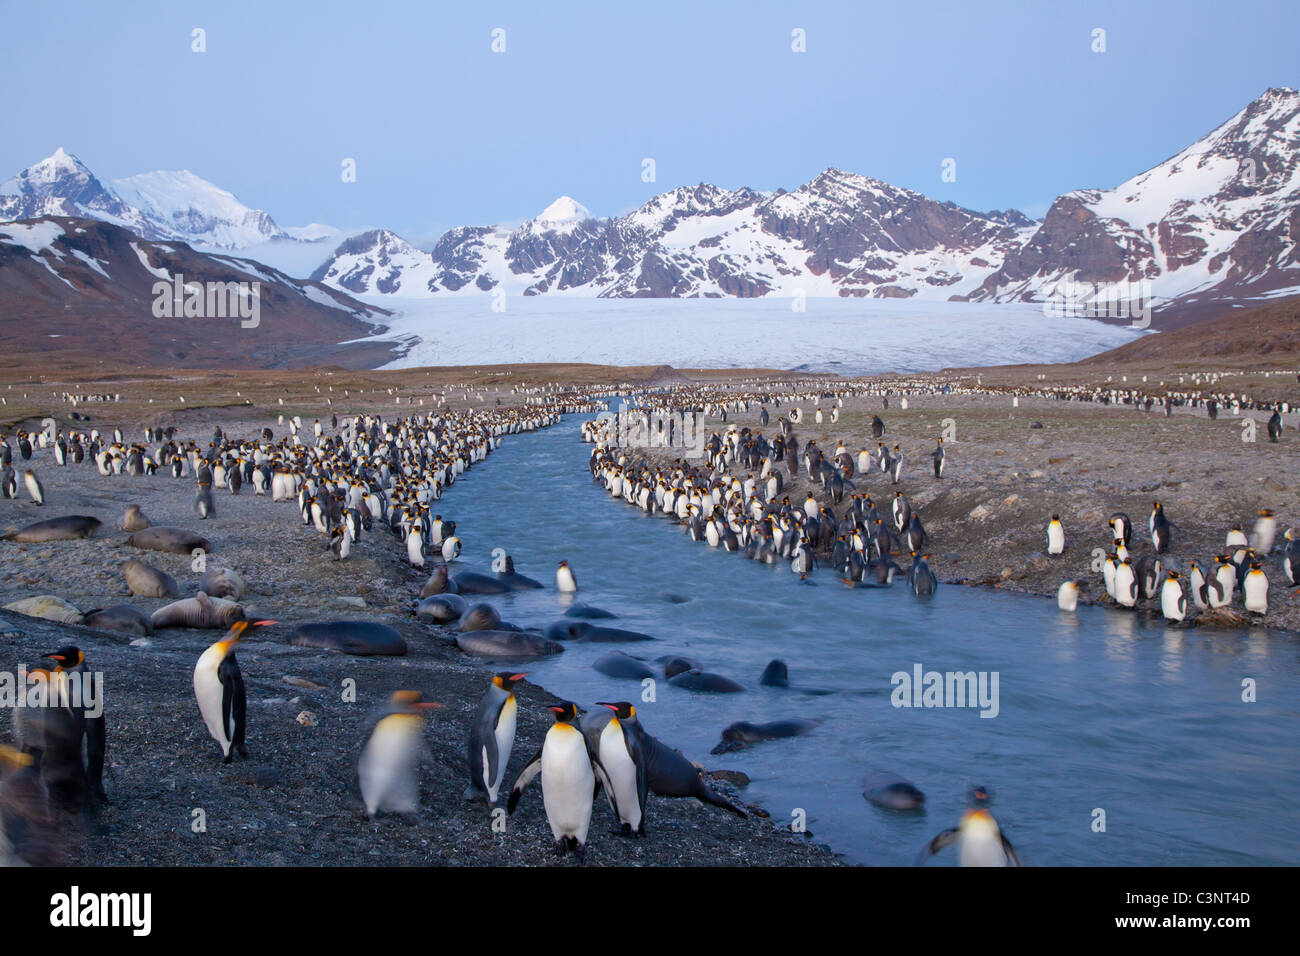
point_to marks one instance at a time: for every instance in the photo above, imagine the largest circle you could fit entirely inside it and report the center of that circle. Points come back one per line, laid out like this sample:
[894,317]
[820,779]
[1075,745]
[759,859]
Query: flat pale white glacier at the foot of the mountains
[844,336]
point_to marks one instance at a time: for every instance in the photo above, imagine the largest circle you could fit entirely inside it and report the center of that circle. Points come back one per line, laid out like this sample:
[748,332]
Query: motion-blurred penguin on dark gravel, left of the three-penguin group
[387,771]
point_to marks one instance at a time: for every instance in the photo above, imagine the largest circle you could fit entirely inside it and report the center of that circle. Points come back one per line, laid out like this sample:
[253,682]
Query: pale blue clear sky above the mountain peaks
[447,133]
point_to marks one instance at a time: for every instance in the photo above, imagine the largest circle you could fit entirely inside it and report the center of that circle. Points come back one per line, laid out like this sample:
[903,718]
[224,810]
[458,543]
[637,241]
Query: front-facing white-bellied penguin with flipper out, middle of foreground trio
[569,782]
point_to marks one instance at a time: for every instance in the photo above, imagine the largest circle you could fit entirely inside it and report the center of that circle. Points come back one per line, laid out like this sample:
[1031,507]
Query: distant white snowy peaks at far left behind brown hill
[168,206]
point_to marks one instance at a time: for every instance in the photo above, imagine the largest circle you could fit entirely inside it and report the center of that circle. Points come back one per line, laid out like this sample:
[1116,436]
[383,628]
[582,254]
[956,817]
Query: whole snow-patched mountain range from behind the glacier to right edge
[1217,222]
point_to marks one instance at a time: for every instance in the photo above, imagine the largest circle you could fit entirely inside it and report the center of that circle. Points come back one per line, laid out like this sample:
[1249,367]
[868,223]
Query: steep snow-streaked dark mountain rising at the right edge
[1220,220]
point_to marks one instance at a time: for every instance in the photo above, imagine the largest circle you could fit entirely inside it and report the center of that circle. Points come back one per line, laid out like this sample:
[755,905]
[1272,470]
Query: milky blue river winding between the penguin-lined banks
[1097,711]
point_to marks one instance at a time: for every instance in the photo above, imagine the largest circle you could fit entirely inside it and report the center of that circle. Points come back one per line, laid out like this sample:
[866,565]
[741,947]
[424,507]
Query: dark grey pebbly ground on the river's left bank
[294,802]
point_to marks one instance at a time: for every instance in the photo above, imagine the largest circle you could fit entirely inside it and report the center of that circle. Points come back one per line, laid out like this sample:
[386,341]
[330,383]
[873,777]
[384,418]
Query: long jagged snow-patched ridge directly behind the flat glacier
[840,235]
